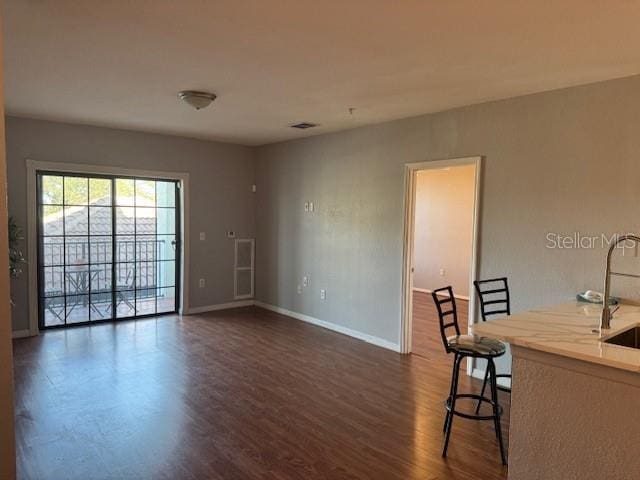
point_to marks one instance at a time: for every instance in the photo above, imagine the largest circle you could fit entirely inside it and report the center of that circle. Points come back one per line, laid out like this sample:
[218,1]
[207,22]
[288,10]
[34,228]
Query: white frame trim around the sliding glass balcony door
[34,166]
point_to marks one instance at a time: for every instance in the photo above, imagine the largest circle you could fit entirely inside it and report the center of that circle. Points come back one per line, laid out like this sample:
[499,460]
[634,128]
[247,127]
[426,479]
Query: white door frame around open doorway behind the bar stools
[410,177]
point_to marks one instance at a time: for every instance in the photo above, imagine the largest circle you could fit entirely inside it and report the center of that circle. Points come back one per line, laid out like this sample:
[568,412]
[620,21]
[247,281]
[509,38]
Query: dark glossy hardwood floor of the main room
[242,394]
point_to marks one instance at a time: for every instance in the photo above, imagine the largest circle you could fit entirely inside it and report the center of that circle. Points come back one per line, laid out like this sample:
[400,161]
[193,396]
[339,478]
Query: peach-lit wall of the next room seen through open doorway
[444,228]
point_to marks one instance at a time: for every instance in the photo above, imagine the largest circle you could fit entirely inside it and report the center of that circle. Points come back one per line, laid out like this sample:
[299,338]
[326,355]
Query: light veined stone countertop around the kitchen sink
[568,330]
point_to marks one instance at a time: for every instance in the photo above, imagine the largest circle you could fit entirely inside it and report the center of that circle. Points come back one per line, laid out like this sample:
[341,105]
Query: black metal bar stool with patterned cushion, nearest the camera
[463,346]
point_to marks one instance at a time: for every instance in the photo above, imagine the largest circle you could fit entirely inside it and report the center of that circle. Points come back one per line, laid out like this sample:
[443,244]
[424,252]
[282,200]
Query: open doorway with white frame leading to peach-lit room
[440,248]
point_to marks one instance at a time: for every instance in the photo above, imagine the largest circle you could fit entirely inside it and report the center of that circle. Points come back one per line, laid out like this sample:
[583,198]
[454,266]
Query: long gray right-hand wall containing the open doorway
[561,161]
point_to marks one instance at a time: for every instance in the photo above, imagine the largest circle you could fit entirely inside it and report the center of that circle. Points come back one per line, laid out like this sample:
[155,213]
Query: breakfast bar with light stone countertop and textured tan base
[575,402]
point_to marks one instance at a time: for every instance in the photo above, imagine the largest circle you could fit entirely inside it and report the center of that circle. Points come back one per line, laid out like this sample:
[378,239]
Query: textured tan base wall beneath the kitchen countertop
[566,425]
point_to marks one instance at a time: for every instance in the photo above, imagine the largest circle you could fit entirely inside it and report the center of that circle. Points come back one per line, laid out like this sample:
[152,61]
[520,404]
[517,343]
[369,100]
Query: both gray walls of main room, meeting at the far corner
[563,161]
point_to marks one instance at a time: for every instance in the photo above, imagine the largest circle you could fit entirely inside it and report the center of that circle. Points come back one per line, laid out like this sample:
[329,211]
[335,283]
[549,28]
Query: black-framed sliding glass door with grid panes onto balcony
[108,248]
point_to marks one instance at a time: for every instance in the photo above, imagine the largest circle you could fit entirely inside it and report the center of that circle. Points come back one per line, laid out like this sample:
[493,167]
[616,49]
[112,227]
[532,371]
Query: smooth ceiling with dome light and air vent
[276,62]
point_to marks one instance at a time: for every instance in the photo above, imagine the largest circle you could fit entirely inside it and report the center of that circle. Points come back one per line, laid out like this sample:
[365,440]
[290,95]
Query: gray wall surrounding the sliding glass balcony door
[220,194]
